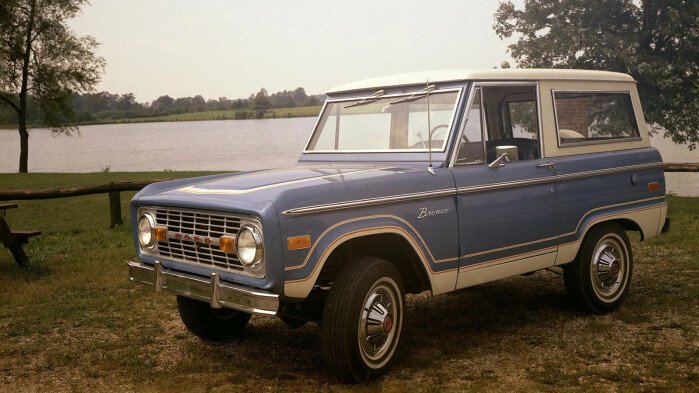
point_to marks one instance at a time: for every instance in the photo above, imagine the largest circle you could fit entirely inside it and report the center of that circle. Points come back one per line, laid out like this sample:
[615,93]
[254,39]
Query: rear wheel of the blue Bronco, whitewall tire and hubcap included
[599,278]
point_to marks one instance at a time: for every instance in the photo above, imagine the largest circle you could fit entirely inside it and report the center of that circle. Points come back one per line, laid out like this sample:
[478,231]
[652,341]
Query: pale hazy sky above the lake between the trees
[233,48]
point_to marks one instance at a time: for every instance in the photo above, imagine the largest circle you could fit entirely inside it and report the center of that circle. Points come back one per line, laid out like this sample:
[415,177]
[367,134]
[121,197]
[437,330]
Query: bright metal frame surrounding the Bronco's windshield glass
[368,95]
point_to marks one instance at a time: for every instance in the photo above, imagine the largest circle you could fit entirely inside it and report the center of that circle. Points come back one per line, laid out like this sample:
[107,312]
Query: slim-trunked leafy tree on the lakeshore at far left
[44,62]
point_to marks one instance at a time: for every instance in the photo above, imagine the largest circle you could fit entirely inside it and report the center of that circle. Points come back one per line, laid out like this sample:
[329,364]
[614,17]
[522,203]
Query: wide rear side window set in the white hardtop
[594,117]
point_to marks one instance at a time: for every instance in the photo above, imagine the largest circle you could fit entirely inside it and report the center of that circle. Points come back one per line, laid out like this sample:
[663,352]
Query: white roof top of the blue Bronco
[415,78]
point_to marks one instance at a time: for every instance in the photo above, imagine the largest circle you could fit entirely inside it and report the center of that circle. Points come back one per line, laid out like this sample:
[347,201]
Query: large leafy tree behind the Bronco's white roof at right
[654,41]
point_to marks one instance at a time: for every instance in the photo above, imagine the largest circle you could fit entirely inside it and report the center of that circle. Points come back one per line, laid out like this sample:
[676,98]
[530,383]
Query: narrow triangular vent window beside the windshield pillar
[471,142]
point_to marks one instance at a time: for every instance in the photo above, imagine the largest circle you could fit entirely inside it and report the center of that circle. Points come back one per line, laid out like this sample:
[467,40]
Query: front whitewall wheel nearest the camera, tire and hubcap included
[362,319]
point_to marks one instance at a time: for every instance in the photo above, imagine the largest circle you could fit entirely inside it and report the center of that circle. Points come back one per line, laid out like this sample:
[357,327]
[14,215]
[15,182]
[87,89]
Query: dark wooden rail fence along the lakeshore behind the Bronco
[115,188]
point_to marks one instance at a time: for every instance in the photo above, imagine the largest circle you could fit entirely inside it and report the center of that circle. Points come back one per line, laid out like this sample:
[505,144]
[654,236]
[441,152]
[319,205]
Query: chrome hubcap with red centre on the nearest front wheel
[377,323]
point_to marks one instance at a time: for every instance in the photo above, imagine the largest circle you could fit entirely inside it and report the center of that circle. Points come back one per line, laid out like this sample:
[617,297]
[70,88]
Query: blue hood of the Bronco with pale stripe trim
[294,187]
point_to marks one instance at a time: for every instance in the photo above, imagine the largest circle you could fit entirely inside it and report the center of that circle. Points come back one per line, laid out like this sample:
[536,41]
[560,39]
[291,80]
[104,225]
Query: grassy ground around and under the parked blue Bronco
[71,322]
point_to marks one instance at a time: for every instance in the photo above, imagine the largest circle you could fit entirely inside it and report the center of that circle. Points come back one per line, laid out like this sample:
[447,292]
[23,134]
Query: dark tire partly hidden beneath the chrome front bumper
[209,323]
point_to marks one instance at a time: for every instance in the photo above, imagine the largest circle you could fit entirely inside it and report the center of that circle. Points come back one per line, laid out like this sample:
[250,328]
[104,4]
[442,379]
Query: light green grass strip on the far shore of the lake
[304,111]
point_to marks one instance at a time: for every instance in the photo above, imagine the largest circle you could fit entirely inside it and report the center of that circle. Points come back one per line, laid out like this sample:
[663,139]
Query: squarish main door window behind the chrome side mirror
[512,122]
